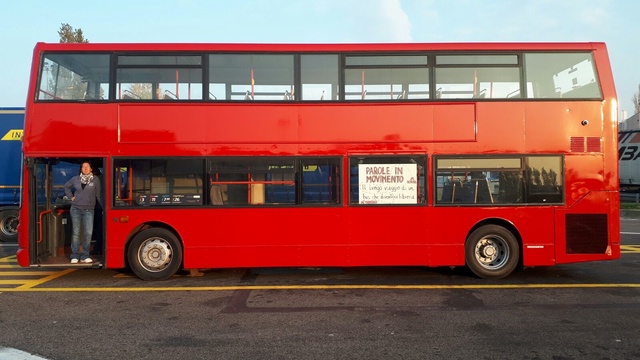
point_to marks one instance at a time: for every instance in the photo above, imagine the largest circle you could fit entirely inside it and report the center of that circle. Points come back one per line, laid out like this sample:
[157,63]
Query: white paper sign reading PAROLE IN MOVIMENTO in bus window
[388,183]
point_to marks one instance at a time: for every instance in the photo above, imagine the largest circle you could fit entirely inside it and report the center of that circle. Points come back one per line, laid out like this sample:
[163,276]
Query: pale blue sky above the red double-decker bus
[615,22]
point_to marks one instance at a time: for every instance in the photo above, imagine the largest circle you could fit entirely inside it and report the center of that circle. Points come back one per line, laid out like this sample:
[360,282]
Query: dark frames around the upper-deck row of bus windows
[523,94]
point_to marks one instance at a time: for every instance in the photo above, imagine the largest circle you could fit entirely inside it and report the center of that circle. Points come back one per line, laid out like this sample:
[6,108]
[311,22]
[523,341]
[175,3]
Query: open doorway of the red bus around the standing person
[50,218]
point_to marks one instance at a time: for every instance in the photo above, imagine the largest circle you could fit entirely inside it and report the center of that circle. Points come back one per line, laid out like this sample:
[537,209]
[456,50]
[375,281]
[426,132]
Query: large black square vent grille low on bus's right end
[587,233]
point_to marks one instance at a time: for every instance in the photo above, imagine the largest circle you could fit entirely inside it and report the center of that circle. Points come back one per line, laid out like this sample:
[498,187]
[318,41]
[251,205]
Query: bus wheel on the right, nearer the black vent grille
[492,251]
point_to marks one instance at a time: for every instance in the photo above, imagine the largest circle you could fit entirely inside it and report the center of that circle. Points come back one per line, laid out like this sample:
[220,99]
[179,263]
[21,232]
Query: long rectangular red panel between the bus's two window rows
[301,124]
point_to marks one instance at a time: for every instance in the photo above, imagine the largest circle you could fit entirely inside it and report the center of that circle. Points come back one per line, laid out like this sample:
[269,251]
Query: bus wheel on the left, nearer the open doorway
[155,254]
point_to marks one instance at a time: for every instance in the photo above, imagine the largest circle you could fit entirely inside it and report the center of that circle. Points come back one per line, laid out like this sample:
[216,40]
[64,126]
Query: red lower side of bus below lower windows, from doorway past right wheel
[318,237]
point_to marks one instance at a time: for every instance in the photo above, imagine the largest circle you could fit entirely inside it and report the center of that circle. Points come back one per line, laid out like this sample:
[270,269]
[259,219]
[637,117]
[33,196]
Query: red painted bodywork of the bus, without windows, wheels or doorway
[341,235]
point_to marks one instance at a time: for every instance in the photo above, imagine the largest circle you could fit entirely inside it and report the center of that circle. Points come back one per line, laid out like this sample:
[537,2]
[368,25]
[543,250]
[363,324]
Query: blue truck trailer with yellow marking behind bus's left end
[11,127]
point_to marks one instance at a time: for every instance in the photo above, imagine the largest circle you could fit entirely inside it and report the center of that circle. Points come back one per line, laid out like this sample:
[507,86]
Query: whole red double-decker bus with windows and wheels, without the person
[489,155]
